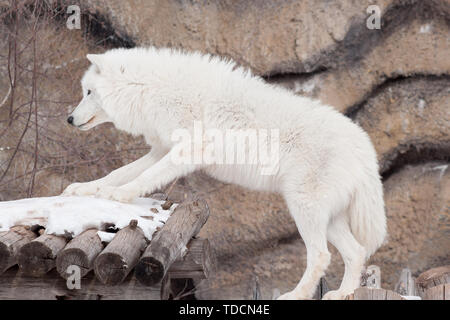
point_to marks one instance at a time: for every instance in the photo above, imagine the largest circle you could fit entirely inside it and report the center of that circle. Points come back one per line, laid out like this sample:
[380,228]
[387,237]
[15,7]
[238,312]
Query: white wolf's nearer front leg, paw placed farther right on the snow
[160,174]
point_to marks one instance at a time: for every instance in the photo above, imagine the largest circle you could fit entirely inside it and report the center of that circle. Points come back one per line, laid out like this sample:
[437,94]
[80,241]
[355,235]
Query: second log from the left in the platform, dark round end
[38,256]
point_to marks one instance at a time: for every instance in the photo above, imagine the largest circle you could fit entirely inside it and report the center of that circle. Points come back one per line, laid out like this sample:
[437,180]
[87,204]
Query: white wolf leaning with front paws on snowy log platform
[328,171]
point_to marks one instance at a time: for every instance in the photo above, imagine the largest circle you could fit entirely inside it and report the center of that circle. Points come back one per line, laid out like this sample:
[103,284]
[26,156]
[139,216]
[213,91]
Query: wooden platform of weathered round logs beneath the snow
[41,266]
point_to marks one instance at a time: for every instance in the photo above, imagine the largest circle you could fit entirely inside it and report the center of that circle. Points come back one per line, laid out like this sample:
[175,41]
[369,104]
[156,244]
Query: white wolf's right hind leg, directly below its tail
[353,254]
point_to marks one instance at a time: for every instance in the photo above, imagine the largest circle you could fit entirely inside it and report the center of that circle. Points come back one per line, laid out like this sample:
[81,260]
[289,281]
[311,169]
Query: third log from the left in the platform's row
[81,251]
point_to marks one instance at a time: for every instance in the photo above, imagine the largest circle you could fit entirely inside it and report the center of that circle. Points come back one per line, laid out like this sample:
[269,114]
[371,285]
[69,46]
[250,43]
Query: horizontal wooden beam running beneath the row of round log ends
[50,286]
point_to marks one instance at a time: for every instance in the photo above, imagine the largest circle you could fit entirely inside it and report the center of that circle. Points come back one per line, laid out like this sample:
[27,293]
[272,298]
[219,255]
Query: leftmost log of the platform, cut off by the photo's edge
[10,243]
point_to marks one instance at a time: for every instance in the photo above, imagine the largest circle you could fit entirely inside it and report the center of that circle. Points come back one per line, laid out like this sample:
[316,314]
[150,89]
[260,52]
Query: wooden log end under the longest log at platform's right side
[198,263]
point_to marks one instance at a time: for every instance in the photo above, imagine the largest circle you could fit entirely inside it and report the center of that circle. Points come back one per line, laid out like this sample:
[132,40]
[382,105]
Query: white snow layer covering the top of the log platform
[62,215]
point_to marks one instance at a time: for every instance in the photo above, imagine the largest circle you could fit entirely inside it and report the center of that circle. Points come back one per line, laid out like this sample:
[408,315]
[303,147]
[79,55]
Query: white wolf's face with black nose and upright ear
[90,111]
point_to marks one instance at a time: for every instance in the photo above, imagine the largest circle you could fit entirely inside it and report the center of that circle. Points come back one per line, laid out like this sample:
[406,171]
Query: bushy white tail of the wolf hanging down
[367,215]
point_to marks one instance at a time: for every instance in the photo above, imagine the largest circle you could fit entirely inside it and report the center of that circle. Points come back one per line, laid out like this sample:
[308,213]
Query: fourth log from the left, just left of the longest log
[121,255]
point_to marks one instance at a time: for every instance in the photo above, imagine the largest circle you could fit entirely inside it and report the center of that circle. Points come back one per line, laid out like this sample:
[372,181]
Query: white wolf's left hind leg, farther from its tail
[311,221]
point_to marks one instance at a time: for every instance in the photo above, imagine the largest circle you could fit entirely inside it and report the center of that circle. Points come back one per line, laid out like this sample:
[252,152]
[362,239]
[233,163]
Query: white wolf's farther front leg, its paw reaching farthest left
[117,177]
